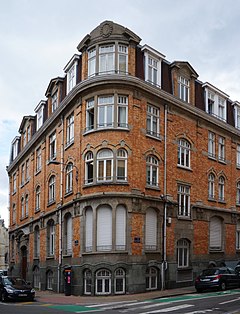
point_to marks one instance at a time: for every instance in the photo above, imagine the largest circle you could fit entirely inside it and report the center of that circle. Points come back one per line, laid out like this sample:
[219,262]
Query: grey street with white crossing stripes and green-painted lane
[227,302]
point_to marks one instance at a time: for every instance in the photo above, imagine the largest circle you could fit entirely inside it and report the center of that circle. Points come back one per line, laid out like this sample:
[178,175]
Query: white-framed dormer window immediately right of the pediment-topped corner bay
[152,60]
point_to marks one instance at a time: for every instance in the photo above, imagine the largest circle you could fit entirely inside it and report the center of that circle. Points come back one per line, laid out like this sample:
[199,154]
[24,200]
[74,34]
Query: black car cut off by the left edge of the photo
[12,288]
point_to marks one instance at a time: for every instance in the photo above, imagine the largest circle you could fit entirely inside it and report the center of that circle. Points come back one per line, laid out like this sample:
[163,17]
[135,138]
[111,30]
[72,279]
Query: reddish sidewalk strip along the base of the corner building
[60,298]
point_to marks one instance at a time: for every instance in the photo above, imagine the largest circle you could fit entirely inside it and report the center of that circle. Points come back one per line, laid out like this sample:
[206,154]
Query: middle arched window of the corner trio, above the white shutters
[104,165]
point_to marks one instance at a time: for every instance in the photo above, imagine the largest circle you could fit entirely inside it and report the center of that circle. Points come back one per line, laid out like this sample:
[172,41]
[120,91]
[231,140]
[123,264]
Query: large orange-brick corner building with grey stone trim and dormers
[128,173]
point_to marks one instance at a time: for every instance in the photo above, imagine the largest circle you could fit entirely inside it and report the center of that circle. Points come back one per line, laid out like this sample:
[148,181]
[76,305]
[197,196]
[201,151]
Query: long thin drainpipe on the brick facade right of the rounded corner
[164,261]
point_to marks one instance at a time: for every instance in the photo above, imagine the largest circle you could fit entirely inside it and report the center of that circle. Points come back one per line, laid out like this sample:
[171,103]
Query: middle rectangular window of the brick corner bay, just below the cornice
[105,111]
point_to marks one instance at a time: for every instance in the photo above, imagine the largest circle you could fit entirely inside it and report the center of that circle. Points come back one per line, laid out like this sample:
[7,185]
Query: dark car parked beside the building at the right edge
[219,278]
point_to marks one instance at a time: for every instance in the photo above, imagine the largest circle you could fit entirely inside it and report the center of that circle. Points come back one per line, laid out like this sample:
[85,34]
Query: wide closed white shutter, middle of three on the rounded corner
[104,229]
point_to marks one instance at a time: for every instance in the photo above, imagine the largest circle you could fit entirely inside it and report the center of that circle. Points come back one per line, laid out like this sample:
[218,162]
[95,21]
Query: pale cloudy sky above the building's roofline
[38,38]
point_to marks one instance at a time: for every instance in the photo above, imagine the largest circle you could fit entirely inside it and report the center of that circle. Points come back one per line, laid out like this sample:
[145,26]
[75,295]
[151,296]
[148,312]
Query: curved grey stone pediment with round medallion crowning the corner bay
[108,31]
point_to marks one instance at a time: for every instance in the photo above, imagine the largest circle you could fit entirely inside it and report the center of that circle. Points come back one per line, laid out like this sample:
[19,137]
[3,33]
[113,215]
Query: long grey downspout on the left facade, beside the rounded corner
[60,210]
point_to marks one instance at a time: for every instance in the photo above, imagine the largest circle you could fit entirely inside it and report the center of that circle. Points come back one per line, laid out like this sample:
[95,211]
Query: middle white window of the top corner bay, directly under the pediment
[106,59]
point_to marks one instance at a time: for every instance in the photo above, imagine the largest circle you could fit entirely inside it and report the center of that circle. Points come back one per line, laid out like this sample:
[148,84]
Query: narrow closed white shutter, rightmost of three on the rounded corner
[121,228]
